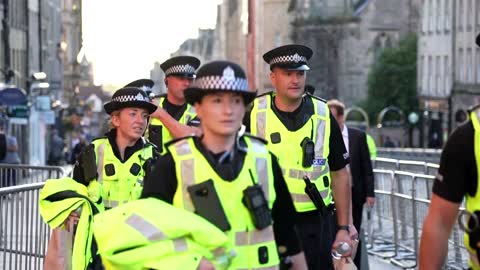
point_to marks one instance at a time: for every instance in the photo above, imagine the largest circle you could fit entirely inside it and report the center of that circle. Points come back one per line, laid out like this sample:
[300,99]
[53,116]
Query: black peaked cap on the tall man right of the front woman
[292,57]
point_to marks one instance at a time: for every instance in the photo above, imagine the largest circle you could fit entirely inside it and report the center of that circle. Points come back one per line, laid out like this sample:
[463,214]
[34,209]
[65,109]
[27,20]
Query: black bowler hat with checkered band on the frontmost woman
[219,76]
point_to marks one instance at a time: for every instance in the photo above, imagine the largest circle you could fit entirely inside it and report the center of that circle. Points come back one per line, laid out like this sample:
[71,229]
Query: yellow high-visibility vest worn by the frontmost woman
[256,249]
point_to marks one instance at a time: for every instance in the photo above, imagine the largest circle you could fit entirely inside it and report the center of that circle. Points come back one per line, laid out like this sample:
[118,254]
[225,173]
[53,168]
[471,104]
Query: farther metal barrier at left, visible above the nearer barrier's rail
[19,174]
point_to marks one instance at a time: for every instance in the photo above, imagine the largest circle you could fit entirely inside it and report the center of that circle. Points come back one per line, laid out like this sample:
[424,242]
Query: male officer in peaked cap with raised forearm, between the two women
[174,117]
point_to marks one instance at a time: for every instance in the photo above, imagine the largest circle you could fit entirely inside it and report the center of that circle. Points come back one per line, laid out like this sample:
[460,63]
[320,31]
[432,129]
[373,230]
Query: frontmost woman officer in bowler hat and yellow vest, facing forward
[228,174]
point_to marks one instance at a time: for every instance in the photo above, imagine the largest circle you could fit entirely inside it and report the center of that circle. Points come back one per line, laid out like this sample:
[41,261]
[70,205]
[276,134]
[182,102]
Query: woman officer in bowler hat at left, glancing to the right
[122,157]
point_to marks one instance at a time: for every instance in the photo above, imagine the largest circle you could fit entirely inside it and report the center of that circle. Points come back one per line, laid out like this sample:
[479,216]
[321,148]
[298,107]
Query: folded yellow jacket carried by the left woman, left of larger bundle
[59,198]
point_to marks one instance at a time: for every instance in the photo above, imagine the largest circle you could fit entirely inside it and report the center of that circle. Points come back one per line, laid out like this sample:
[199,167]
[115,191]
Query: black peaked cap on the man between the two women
[183,66]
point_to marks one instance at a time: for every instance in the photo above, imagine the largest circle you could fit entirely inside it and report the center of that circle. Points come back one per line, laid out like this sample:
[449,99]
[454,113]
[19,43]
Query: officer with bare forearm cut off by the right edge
[458,178]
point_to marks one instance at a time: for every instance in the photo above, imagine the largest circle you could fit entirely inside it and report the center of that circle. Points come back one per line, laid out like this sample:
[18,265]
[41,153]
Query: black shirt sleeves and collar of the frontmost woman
[163,182]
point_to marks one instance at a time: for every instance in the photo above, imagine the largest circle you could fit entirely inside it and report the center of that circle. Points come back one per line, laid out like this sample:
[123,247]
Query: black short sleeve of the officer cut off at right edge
[457,174]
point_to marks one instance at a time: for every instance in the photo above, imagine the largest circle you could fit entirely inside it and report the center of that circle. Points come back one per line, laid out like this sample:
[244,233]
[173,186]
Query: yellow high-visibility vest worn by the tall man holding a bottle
[264,123]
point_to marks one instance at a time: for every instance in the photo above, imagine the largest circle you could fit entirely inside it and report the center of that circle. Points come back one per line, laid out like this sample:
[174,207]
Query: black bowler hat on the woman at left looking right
[129,97]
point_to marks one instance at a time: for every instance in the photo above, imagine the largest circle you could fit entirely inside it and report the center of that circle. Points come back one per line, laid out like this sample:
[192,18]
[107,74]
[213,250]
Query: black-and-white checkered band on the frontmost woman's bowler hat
[221,83]
